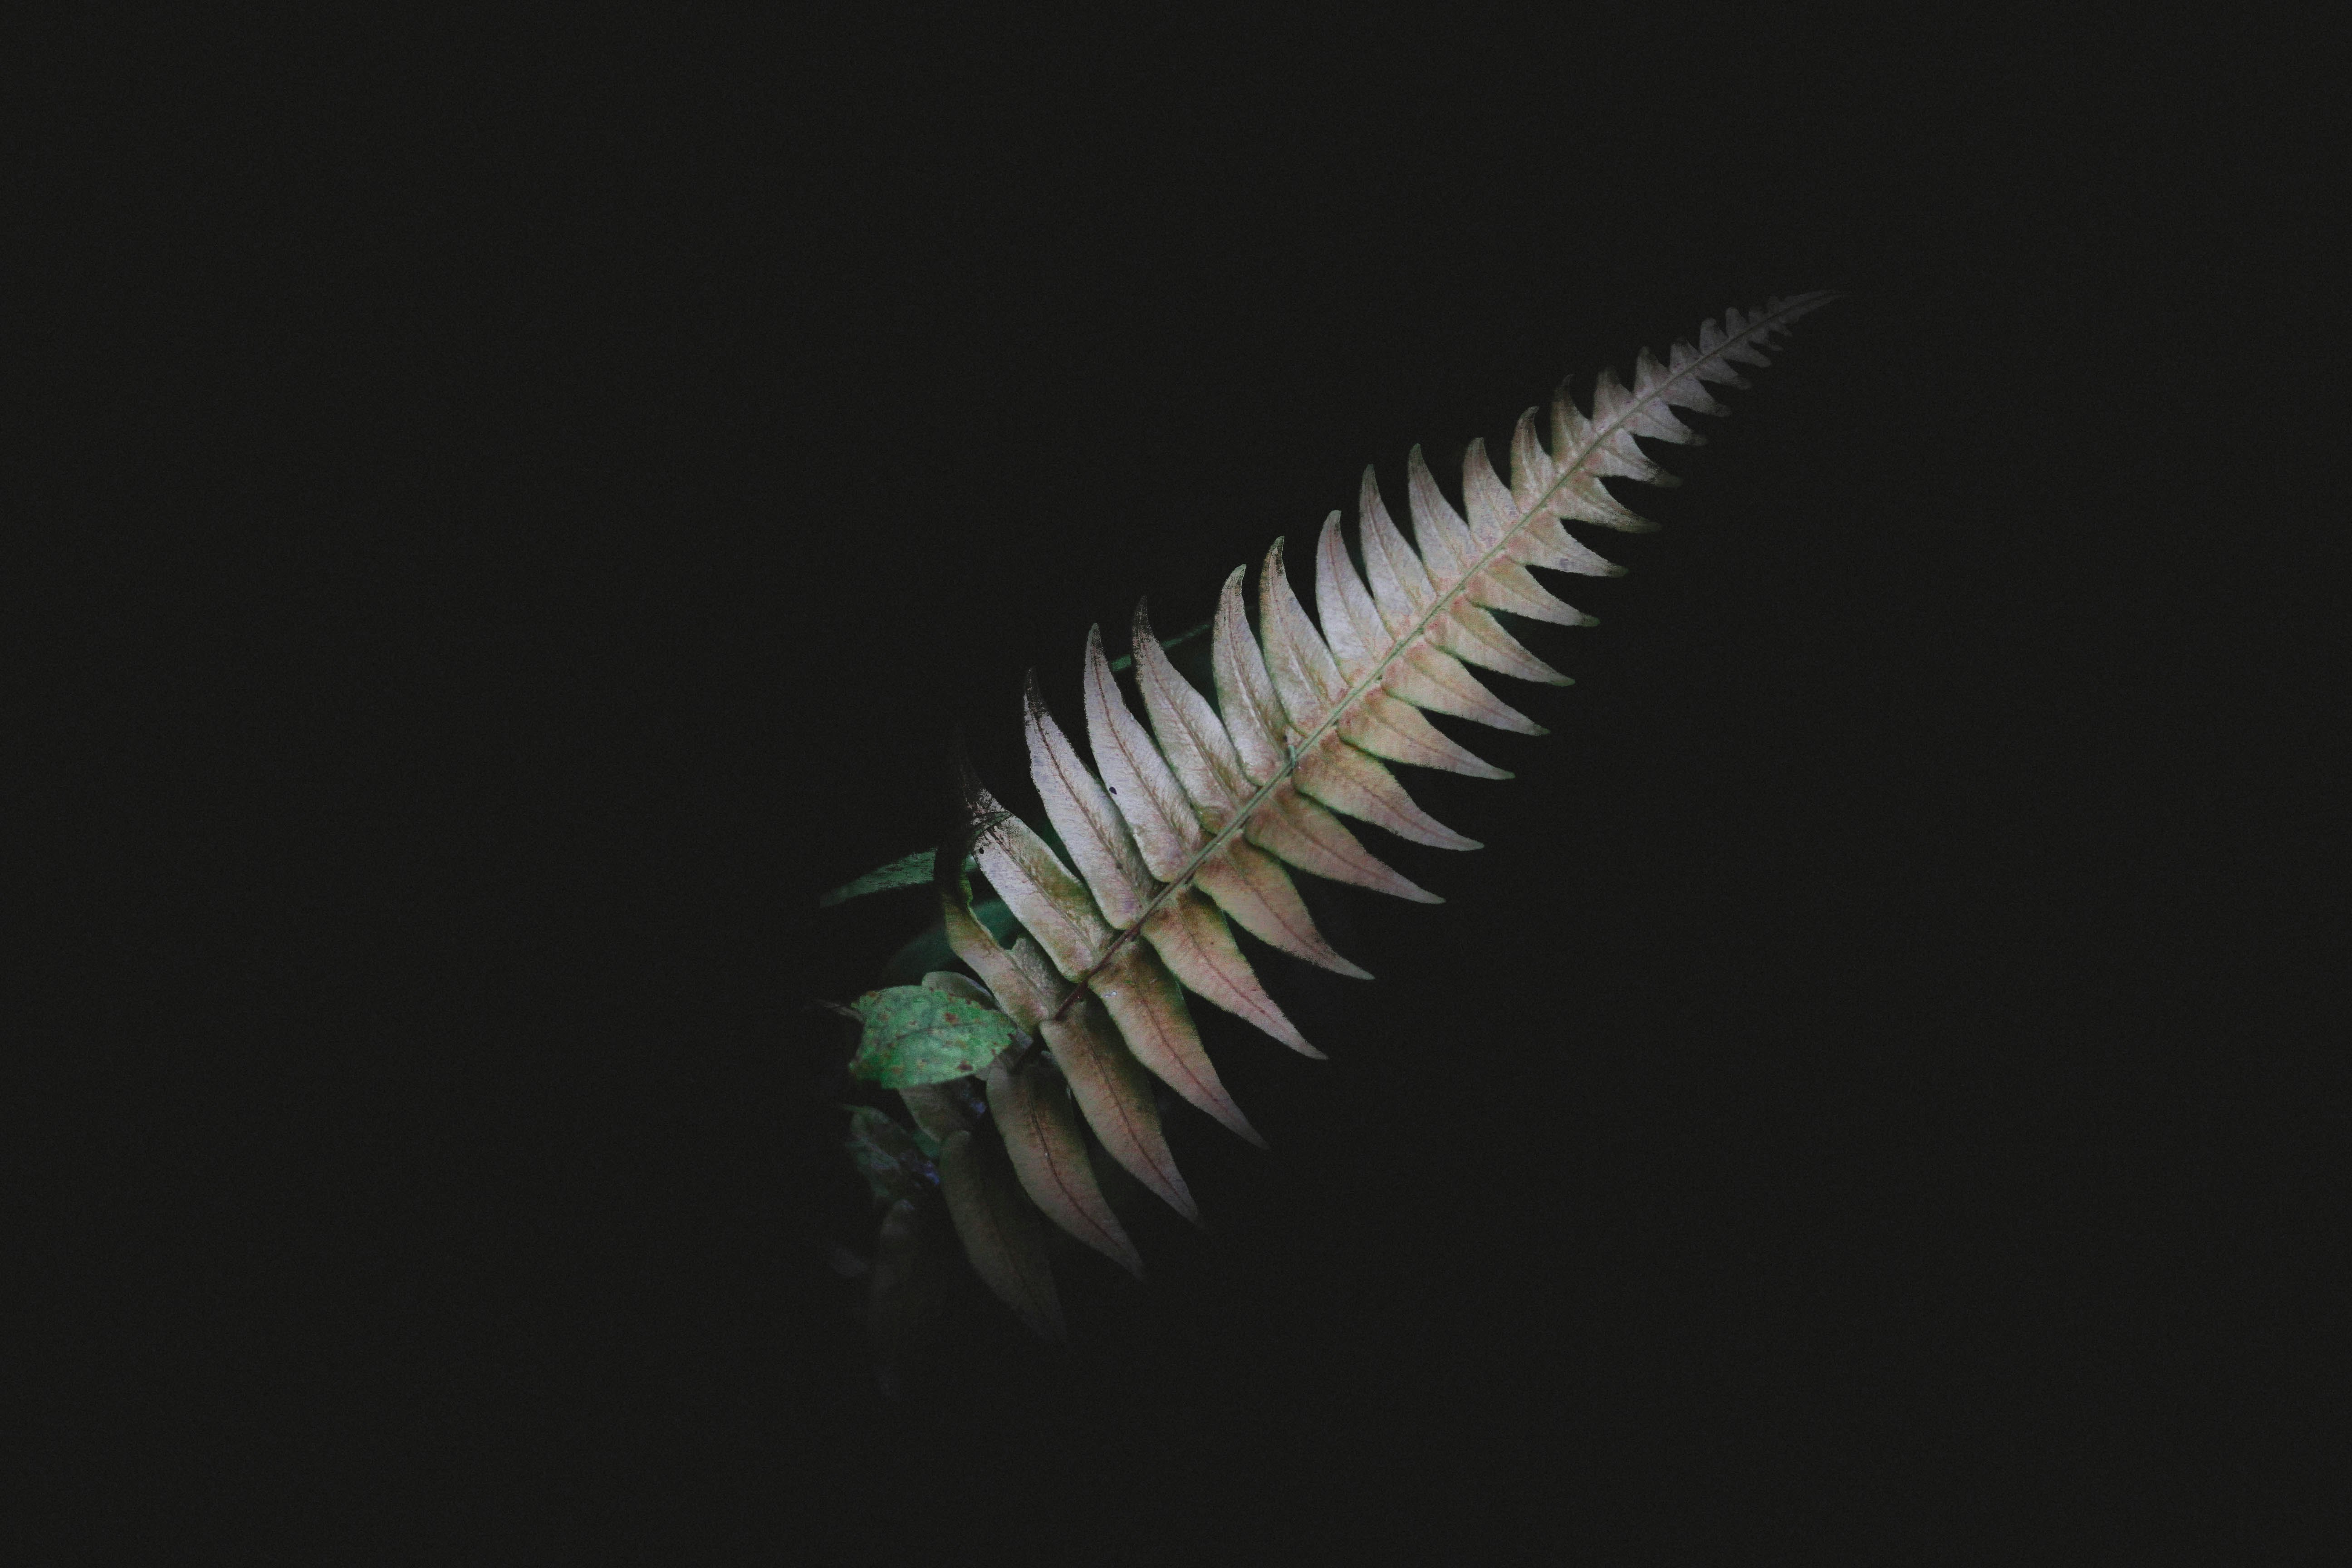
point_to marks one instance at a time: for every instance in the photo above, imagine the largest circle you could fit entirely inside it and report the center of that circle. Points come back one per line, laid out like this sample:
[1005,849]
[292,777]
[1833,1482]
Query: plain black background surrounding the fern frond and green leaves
[547,495]
